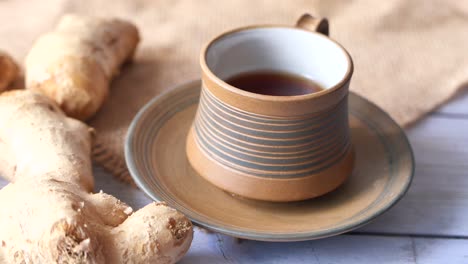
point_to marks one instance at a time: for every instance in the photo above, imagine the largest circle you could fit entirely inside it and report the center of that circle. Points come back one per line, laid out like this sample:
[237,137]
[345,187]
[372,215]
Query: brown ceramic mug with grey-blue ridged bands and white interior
[274,148]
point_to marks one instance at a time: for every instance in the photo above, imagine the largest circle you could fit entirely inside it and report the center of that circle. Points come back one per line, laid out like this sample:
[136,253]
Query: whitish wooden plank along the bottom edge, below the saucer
[344,249]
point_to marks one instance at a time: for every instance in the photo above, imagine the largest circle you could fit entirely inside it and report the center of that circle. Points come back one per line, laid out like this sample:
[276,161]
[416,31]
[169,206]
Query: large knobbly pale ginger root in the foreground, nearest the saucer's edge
[48,213]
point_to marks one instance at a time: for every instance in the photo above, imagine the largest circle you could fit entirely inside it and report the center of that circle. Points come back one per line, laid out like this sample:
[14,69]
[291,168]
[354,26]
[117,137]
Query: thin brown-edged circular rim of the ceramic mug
[274,98]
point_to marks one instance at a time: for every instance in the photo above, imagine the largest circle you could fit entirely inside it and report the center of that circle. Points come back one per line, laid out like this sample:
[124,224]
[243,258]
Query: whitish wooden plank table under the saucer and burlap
[429,225]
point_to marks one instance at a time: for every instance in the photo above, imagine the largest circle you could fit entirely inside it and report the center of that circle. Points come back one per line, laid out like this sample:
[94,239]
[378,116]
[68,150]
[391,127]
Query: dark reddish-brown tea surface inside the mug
[274,83]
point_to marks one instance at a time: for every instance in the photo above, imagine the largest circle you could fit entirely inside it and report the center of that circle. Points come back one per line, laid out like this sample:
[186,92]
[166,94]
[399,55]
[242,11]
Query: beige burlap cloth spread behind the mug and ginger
[410,56]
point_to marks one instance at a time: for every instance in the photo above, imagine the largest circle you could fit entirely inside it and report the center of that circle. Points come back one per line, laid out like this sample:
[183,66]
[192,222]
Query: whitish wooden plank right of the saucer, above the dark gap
[437,202]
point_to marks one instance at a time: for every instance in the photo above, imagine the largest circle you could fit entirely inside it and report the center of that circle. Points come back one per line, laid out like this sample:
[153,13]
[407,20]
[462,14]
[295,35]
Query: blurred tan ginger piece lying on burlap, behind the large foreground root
[74,64]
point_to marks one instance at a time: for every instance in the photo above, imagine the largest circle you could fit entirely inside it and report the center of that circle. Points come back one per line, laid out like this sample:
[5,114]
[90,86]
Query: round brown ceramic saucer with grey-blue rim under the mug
[155,155]
